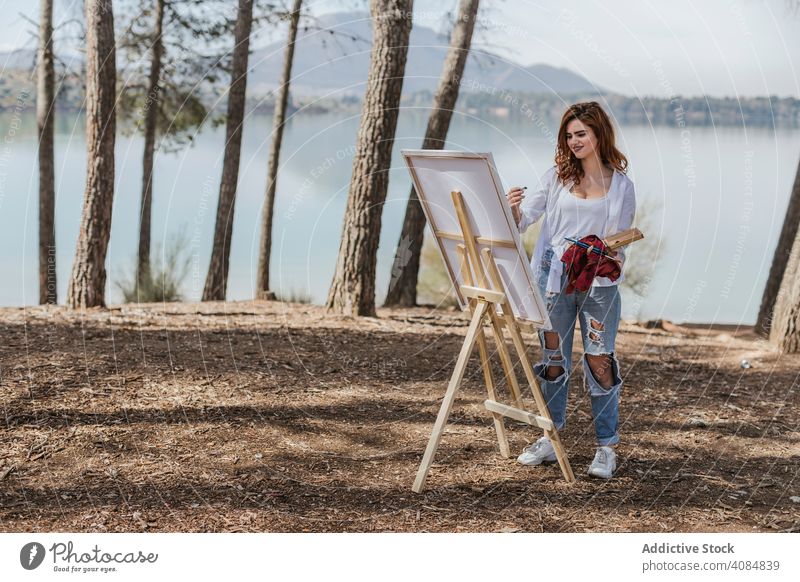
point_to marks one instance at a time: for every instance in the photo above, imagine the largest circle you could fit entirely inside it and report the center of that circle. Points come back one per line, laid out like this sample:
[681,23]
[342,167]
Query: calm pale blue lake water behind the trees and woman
[715,201]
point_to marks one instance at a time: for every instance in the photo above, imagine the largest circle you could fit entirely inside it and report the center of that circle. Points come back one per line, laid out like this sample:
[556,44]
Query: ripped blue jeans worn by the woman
[599,313]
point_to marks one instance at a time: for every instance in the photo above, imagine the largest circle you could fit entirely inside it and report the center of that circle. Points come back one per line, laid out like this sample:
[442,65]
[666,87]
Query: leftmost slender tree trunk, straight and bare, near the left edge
[45,109]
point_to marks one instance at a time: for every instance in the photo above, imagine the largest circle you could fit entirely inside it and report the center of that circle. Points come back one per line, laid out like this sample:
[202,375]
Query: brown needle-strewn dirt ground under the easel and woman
[246,416]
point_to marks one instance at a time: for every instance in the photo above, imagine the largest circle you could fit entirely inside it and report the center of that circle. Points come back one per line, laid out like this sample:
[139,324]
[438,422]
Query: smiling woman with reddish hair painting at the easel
[586,192]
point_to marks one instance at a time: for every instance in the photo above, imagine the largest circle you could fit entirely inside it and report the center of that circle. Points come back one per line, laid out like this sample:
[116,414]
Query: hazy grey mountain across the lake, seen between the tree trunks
[336,59]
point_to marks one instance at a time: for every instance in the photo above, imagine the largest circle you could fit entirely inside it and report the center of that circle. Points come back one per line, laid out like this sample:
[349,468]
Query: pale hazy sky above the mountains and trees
[634,47]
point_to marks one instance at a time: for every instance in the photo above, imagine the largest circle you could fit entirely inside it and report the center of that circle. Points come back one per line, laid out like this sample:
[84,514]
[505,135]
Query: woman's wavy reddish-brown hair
[589,113]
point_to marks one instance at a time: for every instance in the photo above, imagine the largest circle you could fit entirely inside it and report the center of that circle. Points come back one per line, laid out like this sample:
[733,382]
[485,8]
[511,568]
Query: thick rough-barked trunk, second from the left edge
[88,280]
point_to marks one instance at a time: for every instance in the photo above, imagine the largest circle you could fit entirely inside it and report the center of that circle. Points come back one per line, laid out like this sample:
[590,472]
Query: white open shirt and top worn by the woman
[567,215]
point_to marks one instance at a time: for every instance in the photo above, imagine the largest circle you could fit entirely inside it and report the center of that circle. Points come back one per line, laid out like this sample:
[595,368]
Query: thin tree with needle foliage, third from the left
[169,62]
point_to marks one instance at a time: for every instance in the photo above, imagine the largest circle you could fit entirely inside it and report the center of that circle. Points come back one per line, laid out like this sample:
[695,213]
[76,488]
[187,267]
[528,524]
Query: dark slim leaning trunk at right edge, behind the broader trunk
[780,260]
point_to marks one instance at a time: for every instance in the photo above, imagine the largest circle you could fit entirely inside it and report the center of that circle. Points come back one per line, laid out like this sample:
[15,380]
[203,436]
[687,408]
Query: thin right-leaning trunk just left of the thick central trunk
[278,119]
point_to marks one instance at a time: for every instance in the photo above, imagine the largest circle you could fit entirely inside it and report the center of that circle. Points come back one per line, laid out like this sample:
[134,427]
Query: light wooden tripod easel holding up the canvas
[483,305]
